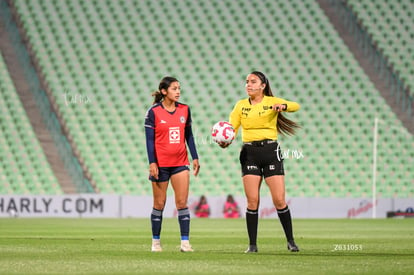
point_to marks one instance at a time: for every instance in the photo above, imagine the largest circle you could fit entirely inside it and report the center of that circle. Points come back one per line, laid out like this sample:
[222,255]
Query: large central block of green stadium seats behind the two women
[116,53]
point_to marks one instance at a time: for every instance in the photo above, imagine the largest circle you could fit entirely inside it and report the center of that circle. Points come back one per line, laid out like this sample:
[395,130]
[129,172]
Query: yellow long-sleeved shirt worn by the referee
[258,121]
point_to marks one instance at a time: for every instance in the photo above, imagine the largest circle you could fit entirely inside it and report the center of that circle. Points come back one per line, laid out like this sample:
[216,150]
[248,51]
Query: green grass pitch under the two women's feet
[122,246]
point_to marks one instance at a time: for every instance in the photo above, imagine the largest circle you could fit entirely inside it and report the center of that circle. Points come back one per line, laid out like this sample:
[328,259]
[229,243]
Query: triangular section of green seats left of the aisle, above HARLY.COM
[25,168]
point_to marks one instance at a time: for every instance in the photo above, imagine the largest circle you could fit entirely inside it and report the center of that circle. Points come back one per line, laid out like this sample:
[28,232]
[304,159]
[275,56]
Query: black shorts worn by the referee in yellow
[261,158]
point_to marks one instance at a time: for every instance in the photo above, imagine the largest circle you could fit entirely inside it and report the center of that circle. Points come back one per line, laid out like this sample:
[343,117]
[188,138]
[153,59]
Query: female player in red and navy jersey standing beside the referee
[167,128]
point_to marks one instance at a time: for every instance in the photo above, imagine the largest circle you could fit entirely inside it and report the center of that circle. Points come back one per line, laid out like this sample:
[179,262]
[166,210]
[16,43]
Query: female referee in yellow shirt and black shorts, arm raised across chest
[261,120]
